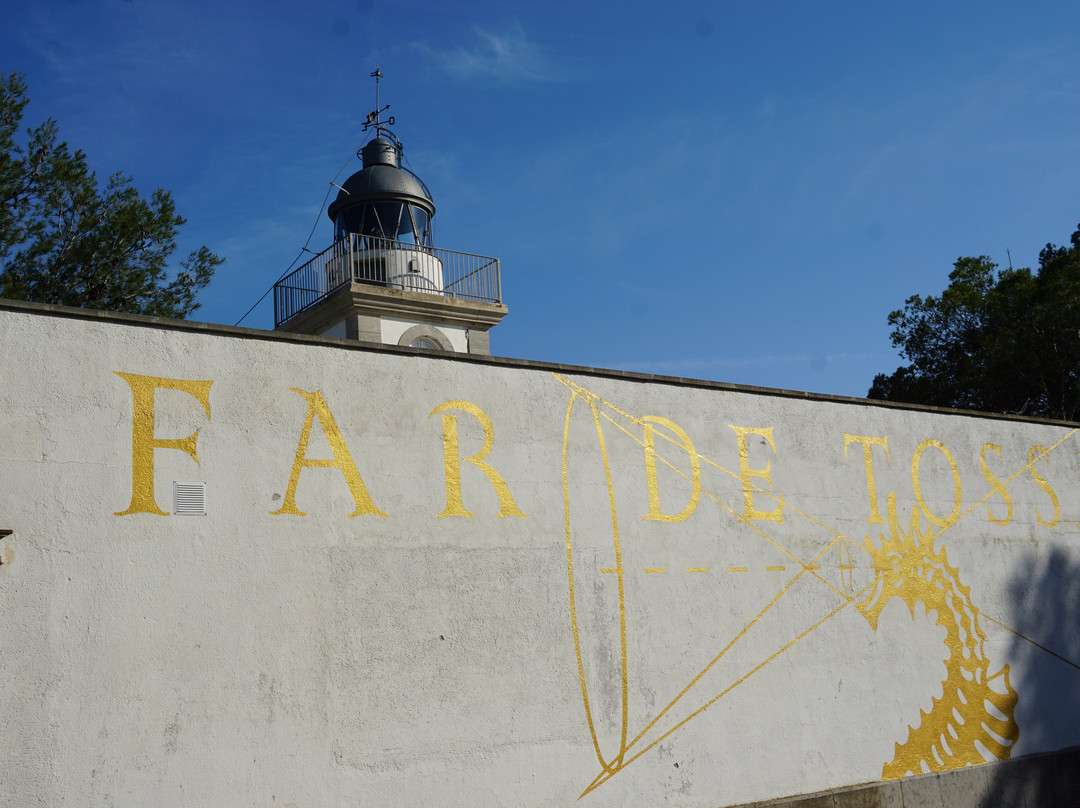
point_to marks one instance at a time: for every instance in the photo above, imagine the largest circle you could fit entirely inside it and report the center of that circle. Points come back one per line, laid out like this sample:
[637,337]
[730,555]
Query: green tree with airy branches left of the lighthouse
[64,240]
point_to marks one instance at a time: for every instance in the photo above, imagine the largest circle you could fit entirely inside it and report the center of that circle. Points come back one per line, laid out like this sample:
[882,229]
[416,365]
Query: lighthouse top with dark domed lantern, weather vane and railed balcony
[383,279]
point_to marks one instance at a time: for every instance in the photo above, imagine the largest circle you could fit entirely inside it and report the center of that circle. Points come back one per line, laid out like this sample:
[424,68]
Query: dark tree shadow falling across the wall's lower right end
[1045,597]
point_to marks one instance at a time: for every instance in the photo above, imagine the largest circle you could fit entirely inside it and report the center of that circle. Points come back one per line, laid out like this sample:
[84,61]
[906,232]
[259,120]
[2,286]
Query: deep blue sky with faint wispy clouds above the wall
[738,192]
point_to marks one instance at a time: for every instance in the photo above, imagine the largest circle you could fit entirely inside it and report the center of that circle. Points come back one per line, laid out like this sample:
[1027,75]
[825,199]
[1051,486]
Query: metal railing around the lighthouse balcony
[390,264]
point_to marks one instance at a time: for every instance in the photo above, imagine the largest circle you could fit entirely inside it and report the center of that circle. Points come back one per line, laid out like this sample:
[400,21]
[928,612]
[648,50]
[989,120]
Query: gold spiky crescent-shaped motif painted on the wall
[974,720]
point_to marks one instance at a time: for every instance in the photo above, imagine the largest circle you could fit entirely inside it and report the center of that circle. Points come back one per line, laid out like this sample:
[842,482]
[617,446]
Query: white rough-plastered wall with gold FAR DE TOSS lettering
[730,654]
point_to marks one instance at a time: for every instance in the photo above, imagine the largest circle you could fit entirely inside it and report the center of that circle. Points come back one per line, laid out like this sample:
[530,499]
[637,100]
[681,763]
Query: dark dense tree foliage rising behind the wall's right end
[1004,342]
